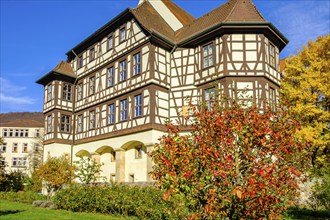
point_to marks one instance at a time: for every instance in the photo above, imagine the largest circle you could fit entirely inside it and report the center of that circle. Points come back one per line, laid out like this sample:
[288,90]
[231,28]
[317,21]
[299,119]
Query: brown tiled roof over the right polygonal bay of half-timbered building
[232,11]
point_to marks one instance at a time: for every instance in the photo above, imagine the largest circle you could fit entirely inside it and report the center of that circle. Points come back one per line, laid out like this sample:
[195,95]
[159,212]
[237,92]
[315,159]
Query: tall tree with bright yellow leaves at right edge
[305,91]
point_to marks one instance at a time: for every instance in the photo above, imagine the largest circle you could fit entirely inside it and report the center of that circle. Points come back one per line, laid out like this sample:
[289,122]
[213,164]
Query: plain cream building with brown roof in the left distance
[23,136]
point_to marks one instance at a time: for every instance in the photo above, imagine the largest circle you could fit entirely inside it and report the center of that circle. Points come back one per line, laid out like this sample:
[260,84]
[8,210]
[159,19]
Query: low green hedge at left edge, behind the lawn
[24,197]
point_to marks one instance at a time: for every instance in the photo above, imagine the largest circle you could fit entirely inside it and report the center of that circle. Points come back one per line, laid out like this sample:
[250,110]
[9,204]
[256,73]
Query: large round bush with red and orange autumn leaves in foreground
[237,162]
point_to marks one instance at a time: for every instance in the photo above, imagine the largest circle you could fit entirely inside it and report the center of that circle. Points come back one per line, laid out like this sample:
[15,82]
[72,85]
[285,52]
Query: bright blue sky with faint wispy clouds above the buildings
[35,35]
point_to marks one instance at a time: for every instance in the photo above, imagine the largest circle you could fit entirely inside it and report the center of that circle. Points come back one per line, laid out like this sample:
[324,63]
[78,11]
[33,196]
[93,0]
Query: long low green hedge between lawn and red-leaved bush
[142,202]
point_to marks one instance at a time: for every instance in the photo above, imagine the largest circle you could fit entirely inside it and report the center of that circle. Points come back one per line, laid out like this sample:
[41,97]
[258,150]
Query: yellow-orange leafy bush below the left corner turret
[56,172]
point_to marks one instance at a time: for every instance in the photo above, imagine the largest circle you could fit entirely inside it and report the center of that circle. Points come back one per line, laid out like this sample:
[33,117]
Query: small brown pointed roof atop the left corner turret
[62,71]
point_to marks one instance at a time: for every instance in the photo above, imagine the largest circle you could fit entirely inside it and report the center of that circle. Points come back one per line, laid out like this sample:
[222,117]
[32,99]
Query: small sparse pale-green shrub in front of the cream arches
[88,170]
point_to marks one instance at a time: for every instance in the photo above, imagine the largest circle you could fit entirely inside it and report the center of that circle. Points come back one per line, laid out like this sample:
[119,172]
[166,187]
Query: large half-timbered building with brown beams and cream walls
[110,99]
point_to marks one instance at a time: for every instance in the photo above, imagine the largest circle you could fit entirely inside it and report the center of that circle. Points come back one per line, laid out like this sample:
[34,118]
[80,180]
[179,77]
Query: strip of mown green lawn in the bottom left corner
[14,210]
